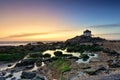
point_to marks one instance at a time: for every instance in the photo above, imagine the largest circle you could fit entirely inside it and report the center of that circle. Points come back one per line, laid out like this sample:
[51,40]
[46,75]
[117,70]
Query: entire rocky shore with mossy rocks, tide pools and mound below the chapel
[91,60]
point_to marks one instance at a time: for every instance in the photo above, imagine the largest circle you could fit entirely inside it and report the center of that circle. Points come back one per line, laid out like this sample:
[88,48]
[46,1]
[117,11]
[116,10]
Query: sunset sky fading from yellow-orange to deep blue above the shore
[51,20]
